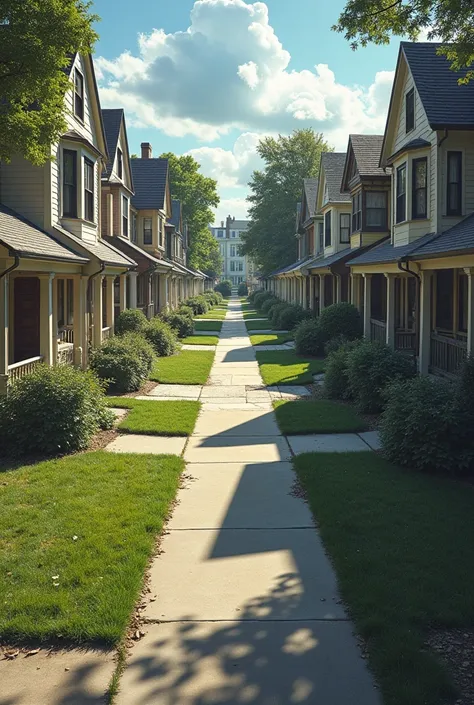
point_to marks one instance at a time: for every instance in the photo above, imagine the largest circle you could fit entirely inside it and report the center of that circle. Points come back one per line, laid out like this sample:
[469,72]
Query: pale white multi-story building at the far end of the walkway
[235,266]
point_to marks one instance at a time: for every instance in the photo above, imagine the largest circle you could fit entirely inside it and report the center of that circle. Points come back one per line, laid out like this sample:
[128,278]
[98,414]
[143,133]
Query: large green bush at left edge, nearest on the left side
[53,410]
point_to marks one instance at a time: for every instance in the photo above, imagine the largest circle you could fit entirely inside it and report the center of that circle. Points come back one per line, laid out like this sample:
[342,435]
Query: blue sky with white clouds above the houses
[211,77]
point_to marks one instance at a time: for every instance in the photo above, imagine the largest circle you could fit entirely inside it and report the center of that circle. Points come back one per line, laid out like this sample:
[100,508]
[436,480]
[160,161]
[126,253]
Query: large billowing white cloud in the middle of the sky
[229,70]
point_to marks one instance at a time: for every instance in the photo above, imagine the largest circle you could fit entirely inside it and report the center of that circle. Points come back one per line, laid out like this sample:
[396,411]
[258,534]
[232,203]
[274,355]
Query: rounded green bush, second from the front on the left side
[124,362]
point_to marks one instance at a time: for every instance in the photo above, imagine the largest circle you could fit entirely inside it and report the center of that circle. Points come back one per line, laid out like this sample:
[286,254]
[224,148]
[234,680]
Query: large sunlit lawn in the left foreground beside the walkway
[76,536]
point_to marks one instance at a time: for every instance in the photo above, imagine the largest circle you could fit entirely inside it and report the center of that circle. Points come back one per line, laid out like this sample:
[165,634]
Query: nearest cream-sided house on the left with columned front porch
[58,276]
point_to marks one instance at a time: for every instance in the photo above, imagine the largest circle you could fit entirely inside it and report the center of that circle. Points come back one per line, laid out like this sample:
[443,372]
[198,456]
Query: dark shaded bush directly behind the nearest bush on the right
[370,367]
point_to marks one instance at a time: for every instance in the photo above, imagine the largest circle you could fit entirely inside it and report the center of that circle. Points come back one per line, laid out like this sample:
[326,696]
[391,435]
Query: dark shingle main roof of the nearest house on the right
[446,103]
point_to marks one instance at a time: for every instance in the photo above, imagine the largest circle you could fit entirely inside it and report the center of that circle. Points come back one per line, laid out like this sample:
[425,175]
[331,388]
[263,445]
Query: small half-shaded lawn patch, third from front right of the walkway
[285,367]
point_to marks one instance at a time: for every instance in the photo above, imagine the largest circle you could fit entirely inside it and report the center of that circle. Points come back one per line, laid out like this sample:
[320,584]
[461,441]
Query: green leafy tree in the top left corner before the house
[37,38]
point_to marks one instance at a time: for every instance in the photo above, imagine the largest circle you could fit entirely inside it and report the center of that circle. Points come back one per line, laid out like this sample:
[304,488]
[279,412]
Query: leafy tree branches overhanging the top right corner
[449,21]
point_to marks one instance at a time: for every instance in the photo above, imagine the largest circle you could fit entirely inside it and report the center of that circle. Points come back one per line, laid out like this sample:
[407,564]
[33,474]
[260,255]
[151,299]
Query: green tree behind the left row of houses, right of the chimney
[198,195]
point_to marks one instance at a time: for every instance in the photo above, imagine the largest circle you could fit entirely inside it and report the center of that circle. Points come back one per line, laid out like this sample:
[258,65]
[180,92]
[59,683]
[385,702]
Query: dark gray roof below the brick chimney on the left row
[149,178]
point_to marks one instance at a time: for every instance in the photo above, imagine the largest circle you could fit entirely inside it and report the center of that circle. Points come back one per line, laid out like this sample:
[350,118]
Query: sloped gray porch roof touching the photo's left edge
[27,240]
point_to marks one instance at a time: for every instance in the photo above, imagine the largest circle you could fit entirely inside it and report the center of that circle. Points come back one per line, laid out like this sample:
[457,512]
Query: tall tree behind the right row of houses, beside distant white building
[275,191]
